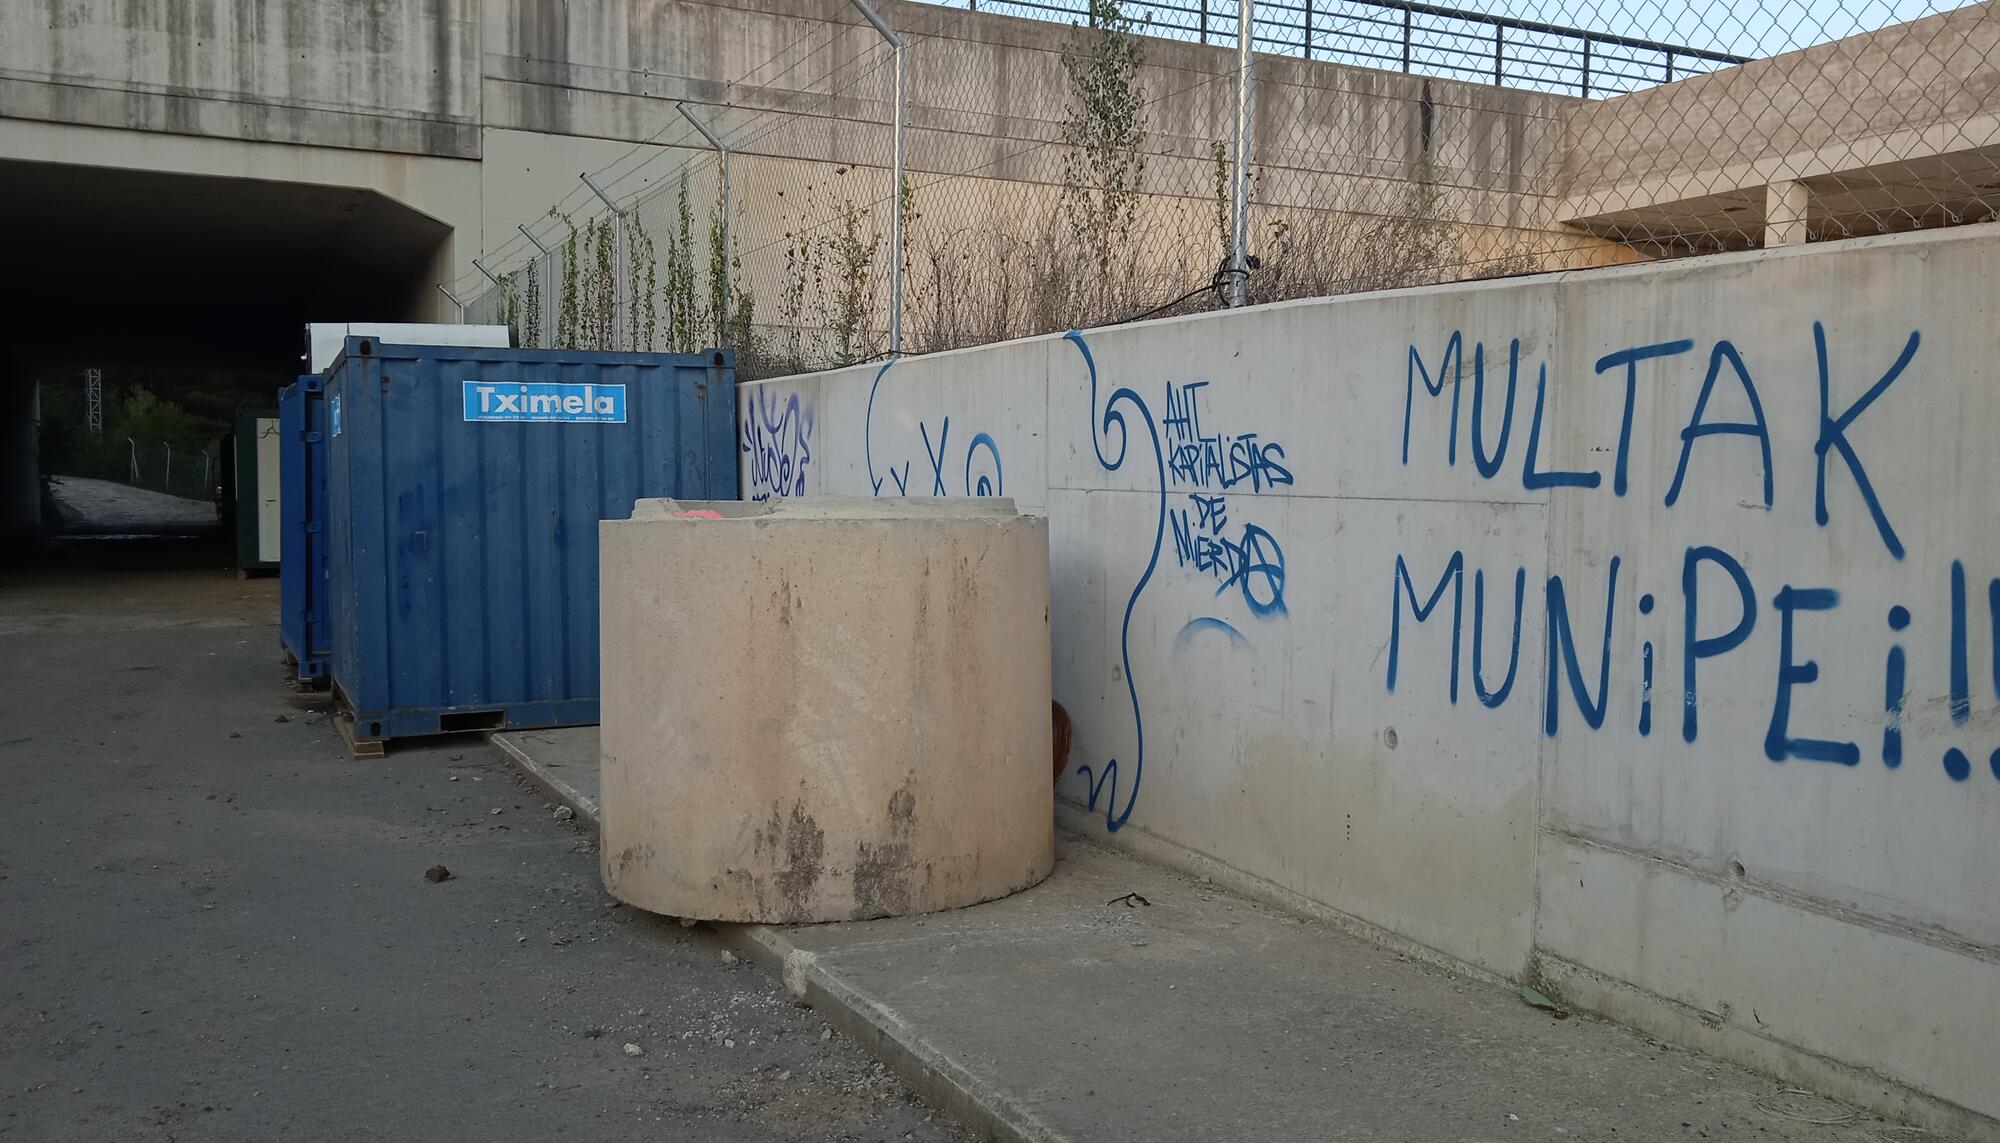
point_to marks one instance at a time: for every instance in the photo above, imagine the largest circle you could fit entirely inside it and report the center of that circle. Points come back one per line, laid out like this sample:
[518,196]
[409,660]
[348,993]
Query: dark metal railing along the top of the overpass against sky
[1417,39]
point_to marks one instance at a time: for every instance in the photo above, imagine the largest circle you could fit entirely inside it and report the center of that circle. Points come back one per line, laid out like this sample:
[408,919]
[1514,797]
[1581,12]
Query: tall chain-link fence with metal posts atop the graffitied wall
[1077,163]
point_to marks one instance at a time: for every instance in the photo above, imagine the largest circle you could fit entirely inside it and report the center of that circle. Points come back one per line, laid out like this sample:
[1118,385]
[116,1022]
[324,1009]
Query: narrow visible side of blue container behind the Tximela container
[303,523]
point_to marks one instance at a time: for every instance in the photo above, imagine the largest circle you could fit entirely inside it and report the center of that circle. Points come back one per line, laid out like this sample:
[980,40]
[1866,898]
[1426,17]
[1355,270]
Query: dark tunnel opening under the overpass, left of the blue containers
[187,297]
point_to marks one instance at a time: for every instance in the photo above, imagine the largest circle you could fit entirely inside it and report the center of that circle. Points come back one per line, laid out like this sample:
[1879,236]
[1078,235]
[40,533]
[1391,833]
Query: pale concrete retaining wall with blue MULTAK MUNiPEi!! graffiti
[1631,630]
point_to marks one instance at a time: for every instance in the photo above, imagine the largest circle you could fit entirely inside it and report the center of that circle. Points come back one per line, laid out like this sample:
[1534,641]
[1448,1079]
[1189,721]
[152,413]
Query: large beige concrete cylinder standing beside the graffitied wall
[825,710]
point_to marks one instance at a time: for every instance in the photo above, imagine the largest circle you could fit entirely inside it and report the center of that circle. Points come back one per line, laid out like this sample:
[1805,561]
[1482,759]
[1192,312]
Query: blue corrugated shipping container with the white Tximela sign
[465,493]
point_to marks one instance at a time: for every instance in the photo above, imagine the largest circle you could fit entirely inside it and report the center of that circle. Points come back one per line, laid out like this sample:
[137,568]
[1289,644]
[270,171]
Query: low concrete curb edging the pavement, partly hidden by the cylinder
[941,1080]
